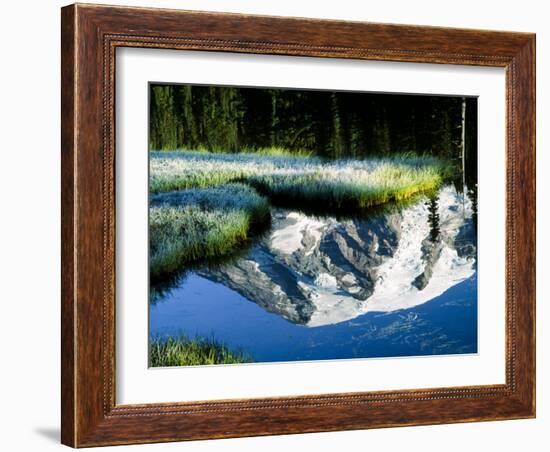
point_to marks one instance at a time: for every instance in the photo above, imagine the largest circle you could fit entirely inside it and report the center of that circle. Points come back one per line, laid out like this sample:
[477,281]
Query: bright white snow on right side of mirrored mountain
[394,289]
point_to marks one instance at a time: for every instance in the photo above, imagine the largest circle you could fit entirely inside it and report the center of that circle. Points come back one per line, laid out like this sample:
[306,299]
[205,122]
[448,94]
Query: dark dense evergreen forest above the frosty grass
[326,123]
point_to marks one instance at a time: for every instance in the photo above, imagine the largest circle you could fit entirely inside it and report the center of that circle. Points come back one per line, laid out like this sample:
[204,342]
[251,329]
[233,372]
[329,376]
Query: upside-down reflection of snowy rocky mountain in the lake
[317,271]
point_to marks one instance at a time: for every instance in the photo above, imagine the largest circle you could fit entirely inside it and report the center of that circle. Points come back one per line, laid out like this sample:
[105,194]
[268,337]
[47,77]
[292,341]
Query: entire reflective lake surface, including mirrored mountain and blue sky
[398,283]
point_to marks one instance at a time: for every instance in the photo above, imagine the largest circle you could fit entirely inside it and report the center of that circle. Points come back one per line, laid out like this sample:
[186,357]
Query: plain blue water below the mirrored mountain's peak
[446,324]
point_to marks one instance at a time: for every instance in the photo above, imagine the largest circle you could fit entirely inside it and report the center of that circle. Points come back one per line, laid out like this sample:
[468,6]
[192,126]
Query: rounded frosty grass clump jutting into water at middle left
[201,223]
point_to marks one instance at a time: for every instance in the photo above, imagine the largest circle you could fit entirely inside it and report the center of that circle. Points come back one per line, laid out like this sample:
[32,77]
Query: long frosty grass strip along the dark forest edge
[341,184]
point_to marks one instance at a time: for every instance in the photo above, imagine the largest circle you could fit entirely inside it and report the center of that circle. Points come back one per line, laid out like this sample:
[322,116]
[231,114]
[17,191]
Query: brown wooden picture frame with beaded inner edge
[90,36]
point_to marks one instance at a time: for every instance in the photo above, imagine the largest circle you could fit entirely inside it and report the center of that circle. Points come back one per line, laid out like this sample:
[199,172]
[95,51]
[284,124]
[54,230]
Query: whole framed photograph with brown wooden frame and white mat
[281,225]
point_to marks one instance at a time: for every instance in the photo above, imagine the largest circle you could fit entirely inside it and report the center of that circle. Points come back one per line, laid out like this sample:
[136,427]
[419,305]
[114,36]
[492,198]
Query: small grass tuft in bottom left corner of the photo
[182,351]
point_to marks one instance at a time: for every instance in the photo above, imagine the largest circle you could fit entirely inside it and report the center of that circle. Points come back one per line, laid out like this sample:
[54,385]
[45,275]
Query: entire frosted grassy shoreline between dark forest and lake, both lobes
[207,205]
